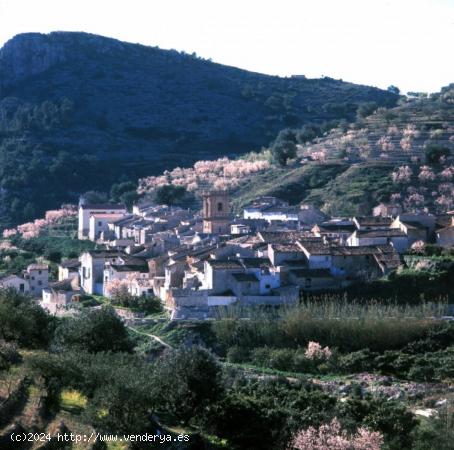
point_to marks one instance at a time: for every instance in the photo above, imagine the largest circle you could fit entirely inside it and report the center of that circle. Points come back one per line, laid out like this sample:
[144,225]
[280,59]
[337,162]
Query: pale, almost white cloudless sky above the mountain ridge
[408,43]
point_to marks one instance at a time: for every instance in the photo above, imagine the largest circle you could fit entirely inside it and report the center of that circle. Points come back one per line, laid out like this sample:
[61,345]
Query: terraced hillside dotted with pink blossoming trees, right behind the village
[403,155]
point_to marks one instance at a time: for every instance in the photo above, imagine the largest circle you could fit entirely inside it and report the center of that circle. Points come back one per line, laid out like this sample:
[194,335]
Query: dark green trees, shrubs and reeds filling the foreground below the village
[87,374]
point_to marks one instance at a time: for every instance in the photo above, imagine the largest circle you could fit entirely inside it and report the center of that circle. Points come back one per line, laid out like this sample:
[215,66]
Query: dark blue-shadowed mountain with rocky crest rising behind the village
[81,112]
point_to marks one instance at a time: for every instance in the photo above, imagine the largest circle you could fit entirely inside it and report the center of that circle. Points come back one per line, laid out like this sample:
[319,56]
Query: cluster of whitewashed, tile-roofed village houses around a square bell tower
[195,262]
